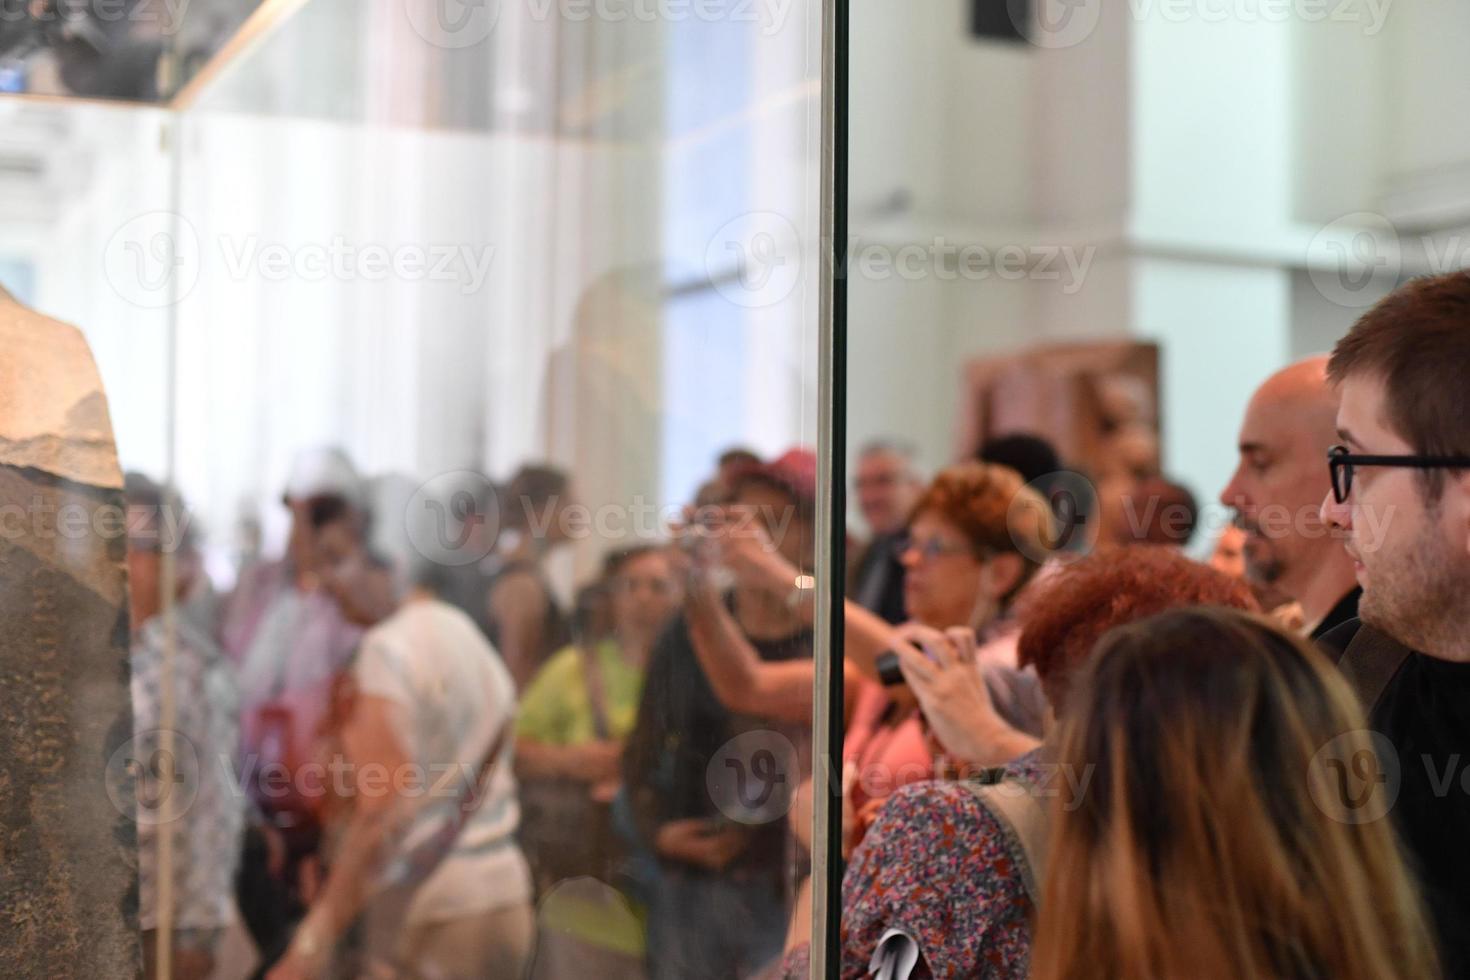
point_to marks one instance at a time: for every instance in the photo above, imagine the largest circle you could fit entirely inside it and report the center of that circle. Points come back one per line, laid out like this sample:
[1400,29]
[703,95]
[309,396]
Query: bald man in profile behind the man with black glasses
[1283,477]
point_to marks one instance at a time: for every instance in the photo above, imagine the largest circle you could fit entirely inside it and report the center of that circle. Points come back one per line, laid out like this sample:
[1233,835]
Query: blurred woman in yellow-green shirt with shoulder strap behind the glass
[578,713]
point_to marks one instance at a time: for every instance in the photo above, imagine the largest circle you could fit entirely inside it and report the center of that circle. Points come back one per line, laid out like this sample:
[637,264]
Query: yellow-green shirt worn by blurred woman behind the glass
[556,709]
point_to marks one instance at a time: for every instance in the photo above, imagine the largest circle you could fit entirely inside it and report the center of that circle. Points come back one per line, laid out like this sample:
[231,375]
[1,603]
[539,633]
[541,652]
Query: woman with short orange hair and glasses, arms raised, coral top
[974,543]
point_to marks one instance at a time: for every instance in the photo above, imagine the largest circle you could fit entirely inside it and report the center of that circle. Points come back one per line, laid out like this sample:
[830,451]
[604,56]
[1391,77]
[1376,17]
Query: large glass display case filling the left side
[446,349]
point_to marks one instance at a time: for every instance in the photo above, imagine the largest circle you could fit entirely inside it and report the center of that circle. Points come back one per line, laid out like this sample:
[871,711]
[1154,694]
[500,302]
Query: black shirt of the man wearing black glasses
[1425,712]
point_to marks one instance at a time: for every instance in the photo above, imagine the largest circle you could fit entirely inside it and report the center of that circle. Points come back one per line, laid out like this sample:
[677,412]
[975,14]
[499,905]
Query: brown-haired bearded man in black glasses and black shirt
[1402,496]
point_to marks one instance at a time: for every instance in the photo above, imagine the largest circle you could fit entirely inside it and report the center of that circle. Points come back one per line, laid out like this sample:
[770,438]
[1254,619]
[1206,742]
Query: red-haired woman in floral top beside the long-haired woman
[943,872]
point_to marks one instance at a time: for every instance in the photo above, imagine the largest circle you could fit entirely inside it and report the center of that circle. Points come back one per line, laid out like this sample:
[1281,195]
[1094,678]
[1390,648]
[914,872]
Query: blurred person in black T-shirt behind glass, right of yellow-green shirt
[720,904]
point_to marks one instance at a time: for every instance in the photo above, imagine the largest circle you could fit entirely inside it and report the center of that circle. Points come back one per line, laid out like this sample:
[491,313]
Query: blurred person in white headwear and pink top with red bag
[290,641]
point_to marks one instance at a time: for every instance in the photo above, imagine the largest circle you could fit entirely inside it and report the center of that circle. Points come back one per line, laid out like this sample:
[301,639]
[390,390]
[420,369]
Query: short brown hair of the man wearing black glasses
[1416,340]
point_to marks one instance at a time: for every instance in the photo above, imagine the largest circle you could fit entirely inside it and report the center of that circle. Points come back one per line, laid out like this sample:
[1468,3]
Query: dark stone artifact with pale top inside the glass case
[68,856]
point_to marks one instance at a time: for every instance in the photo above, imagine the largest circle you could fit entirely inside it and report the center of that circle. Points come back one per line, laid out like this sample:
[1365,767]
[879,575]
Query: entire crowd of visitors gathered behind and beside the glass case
[1066,756]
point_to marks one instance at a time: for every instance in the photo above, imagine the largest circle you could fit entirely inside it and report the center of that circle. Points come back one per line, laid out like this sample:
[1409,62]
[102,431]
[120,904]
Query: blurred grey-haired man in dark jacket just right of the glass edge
[887,483]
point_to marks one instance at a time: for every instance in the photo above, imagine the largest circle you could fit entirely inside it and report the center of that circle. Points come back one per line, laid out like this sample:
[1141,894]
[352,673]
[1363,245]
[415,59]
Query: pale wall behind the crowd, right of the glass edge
[1205,161]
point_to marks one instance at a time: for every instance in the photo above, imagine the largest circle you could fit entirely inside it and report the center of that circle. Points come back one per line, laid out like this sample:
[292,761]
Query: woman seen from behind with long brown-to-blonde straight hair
[1212,835]
